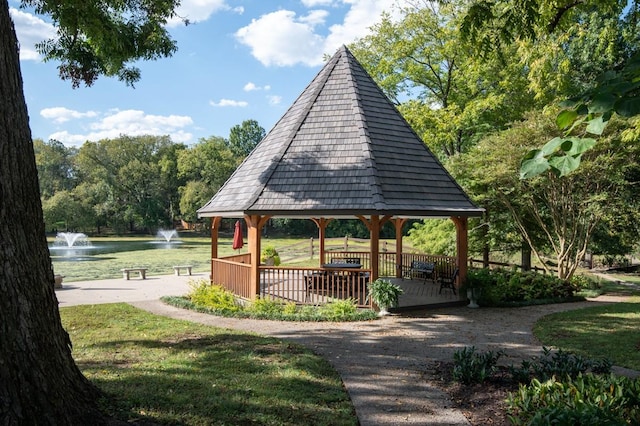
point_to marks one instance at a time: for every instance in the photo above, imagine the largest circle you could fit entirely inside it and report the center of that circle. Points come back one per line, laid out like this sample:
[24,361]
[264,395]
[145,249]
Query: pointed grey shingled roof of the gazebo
[342,149]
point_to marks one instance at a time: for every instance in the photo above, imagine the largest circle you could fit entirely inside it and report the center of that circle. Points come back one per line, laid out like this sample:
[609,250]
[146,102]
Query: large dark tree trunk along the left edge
[39,381]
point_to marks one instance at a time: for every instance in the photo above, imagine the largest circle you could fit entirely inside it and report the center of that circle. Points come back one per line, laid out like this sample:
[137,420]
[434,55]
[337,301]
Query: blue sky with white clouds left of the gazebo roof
[237,60]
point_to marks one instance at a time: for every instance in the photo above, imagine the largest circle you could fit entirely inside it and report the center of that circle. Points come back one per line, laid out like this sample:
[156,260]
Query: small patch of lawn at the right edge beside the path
[608,331]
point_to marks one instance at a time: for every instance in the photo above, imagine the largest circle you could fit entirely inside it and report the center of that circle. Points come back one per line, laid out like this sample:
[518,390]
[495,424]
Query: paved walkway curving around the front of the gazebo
[385,365]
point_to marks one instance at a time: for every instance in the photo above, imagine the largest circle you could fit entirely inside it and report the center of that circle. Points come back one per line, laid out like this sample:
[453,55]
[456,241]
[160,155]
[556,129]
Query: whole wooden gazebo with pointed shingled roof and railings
[342,150]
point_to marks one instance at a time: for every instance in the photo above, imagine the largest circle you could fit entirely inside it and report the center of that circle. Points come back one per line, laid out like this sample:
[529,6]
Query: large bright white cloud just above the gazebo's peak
[282,38]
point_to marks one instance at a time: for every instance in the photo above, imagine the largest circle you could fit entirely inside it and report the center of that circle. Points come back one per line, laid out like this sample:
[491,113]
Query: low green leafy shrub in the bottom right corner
[585,400]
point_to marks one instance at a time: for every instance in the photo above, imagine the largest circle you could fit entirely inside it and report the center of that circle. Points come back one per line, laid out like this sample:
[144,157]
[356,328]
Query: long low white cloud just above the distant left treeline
[130,123]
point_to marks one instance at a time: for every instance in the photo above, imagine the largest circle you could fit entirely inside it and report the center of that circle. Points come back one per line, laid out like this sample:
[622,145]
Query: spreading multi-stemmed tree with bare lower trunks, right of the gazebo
[553,214]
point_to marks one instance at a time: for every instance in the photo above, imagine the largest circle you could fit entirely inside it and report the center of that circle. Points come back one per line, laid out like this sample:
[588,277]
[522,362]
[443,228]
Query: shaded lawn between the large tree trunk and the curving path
[177,372]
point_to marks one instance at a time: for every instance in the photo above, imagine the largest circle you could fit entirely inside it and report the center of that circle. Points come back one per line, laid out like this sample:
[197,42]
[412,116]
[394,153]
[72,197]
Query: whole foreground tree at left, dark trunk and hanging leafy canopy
[39,381]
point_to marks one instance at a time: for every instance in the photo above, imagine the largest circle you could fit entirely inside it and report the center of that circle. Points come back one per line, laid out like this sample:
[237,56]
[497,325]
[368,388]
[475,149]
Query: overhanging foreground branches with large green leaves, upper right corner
[496,23]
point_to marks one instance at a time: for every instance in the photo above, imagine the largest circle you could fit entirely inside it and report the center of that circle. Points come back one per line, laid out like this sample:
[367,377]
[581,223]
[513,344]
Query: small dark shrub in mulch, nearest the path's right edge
[471,367]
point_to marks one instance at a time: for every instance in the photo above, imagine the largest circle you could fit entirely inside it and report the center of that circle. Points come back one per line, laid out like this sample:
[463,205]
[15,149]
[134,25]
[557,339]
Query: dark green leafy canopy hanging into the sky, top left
[104,37]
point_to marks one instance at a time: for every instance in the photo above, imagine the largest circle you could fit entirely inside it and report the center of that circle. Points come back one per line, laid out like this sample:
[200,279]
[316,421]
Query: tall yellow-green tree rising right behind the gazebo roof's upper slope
[446,91]
